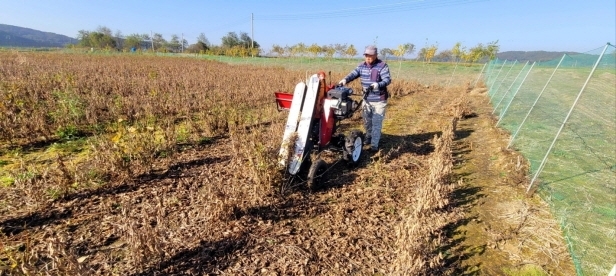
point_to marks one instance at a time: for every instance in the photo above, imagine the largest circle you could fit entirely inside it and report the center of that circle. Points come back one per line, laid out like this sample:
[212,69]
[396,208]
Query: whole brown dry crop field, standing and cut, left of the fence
[141,165]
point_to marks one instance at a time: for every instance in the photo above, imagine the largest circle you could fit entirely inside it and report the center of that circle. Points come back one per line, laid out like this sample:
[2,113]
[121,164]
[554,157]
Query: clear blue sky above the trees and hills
[521,25]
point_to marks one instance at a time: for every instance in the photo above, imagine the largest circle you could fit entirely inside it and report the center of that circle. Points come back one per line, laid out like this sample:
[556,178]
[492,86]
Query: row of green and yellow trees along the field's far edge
[241,45]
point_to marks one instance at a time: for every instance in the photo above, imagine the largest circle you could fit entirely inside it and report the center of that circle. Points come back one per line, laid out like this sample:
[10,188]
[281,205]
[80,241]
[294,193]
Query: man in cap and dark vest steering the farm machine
[375,77]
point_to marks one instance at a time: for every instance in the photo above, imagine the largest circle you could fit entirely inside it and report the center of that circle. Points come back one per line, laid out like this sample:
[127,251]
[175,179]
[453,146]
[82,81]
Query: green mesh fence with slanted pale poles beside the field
[562,117]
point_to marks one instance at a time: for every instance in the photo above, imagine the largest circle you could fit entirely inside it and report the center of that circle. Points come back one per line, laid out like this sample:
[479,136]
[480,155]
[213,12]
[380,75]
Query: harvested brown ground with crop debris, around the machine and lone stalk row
[192,215]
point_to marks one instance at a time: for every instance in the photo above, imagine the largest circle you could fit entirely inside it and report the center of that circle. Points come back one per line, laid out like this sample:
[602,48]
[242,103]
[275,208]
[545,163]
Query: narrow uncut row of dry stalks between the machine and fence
[420,234]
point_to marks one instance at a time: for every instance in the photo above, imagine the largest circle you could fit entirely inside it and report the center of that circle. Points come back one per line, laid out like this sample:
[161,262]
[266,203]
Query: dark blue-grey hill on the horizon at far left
[13,36]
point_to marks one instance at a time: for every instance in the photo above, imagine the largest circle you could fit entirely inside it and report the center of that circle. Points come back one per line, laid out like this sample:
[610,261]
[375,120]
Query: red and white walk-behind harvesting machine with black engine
[315,111]
